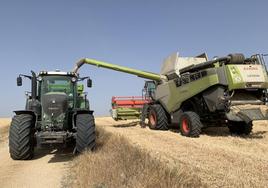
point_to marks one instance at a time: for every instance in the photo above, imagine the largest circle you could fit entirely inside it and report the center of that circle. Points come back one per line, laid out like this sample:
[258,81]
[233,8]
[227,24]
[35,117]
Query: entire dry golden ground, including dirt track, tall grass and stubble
[130,156]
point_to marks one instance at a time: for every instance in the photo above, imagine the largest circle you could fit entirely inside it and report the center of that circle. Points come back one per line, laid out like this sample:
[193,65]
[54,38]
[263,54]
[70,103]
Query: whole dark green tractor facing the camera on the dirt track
[56,113]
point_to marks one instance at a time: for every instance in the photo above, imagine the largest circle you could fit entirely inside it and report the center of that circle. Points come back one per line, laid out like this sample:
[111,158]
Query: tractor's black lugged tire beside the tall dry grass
[86,136]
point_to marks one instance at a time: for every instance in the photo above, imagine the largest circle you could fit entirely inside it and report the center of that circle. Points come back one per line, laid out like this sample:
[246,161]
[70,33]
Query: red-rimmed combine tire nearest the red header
[158,119]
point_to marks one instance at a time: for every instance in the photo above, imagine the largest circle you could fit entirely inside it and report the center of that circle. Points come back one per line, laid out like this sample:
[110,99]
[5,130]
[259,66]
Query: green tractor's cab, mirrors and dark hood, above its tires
[54,97]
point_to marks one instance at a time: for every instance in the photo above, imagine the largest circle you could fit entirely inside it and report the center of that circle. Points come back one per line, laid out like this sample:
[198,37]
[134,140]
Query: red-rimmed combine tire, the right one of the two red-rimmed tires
[190,124]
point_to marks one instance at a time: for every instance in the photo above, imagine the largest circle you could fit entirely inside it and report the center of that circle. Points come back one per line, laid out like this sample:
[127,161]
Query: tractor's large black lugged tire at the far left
[21,137]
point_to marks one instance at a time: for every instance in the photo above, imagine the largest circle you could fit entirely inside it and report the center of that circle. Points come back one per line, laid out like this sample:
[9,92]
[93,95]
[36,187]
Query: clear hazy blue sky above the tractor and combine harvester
[54,34]
